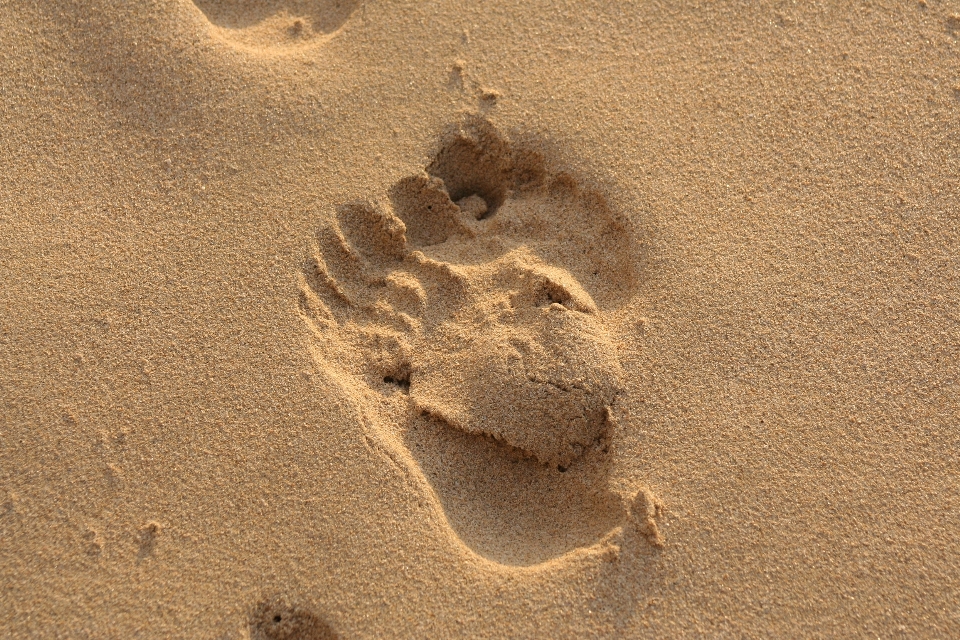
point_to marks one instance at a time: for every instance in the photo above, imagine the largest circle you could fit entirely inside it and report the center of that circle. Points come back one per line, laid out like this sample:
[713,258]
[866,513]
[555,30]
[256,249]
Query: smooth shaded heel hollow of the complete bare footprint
[506,506]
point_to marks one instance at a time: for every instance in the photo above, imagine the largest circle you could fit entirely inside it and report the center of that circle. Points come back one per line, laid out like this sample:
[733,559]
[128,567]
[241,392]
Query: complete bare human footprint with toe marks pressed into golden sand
[468,307]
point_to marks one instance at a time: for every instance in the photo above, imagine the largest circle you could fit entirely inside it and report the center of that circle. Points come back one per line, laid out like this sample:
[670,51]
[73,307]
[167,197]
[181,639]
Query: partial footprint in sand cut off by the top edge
[266,24]
